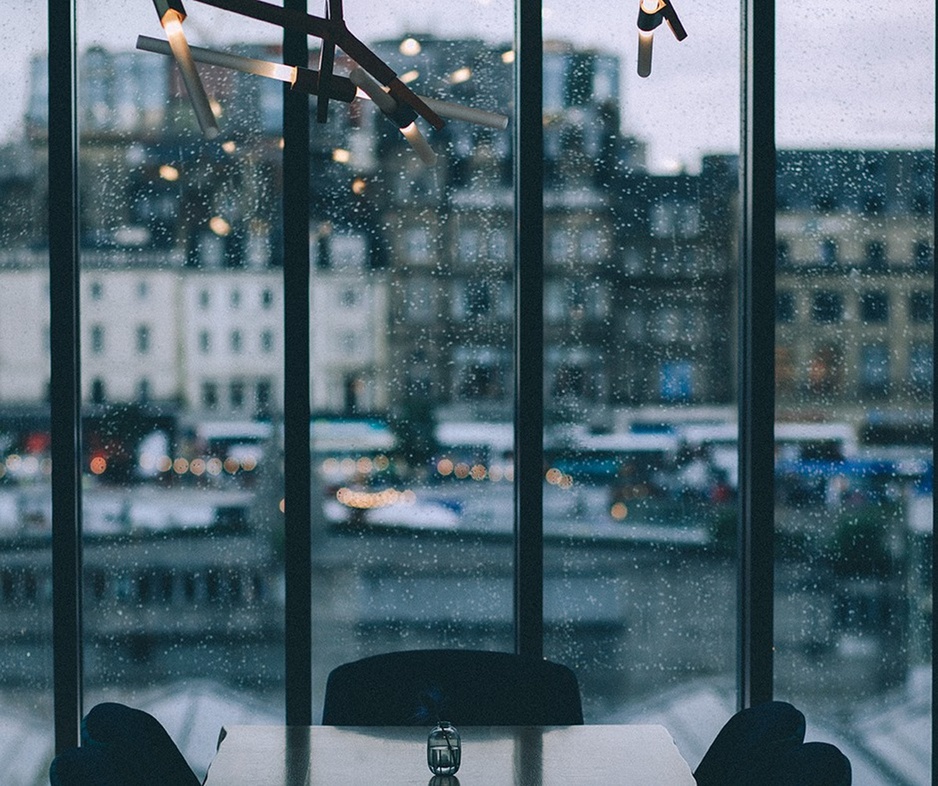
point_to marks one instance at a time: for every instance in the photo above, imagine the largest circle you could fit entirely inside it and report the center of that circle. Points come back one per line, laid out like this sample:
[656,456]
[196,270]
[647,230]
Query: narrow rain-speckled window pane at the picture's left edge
[26,740]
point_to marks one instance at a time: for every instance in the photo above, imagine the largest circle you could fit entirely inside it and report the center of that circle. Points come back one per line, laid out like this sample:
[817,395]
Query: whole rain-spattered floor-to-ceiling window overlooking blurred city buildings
[637,387]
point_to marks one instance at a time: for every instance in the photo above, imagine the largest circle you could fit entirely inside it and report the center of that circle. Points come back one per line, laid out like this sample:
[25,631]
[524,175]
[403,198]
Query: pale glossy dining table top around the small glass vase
[598,755]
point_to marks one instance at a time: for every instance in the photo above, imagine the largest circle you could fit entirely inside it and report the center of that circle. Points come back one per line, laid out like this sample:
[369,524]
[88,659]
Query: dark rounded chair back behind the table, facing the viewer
[464,687]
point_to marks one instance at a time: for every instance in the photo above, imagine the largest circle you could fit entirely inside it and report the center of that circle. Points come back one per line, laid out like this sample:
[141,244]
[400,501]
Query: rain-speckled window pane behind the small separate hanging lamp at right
[640,490]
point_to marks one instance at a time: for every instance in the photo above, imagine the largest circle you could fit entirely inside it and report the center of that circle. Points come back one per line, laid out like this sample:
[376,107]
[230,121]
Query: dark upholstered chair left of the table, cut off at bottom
[122,746]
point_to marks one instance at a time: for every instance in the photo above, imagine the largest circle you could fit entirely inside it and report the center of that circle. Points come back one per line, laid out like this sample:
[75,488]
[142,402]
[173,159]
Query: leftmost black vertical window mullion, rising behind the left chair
[65,395]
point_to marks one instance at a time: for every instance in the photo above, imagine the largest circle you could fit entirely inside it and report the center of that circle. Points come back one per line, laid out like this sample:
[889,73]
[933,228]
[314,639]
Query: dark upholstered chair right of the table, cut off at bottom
[765,745]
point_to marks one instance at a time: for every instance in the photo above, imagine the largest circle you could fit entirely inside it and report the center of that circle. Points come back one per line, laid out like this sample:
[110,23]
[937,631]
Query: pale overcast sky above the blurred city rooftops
[849,74]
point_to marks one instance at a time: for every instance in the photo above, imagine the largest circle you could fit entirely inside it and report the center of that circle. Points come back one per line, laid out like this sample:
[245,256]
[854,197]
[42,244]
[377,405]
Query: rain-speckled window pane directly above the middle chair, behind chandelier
[412,352]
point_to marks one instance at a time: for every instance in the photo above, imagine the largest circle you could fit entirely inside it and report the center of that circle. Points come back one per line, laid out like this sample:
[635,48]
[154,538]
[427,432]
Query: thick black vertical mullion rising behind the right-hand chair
[756,385]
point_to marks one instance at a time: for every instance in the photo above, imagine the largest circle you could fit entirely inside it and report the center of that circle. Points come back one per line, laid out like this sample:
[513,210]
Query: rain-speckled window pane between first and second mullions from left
[180,286]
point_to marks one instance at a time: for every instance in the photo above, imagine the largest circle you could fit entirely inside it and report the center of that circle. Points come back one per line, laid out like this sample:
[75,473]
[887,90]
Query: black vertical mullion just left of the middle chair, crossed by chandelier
[296,394]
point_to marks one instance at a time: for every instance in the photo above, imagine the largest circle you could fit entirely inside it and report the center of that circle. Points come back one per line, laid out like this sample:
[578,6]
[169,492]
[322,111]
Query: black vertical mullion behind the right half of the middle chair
[529,330]
